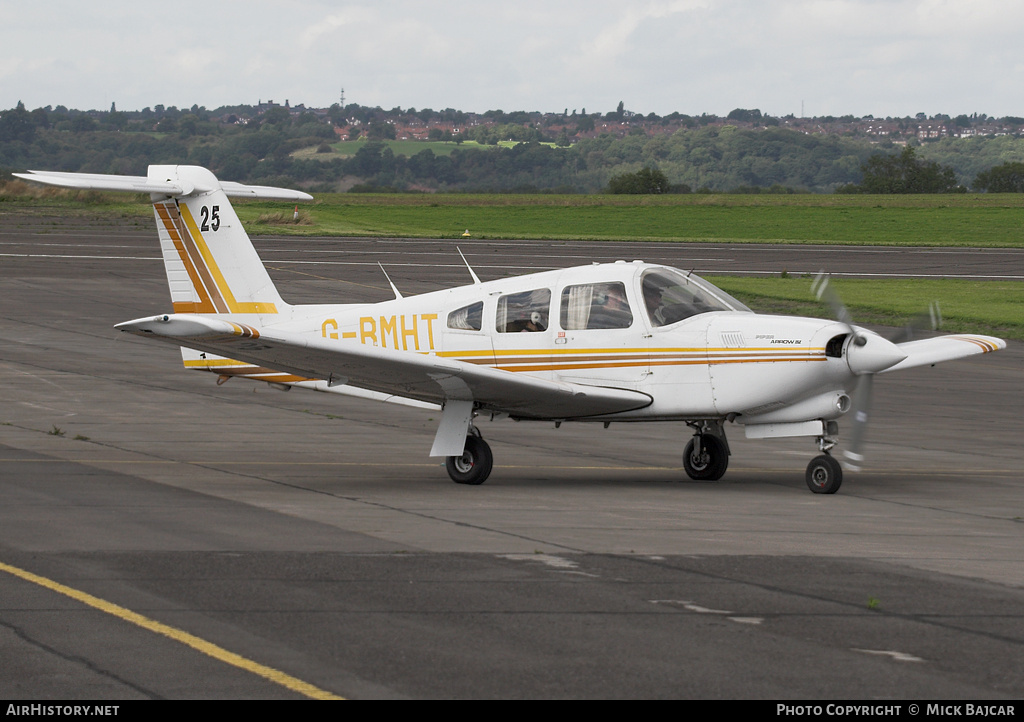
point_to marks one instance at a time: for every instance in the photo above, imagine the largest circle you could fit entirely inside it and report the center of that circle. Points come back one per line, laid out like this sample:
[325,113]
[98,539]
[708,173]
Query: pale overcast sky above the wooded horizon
[884,58]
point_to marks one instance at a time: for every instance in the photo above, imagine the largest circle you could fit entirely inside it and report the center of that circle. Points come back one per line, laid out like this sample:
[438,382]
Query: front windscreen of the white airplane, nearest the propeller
[672,296]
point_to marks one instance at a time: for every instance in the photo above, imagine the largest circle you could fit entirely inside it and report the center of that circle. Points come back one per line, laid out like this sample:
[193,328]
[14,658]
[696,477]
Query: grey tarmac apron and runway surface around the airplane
[292,544]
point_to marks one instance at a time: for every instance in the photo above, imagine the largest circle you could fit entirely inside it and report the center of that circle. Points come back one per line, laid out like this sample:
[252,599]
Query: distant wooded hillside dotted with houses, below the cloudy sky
[357,148]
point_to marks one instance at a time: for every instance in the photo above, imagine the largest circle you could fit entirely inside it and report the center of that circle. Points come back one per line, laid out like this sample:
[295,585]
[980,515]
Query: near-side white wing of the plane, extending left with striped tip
[418,376]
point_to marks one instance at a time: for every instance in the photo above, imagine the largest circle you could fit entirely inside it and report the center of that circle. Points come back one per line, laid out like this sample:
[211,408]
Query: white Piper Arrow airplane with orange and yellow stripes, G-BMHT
[623,343]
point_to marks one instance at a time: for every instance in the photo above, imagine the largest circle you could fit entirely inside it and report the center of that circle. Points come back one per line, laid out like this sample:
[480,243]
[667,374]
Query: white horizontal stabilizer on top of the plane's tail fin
[169,187]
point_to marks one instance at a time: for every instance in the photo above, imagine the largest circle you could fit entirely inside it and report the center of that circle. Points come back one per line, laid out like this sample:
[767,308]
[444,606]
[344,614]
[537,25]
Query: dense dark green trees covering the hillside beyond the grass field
[699,156]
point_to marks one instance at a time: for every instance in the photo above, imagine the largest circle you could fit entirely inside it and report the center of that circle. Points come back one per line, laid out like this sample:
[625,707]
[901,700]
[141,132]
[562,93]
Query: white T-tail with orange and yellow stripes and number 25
[211,265]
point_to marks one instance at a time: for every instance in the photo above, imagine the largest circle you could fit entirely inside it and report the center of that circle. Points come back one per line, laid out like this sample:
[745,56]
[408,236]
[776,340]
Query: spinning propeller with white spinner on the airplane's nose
[869,354]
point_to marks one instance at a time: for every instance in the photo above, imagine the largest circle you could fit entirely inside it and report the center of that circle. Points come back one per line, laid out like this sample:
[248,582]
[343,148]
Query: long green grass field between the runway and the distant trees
[985,222]
